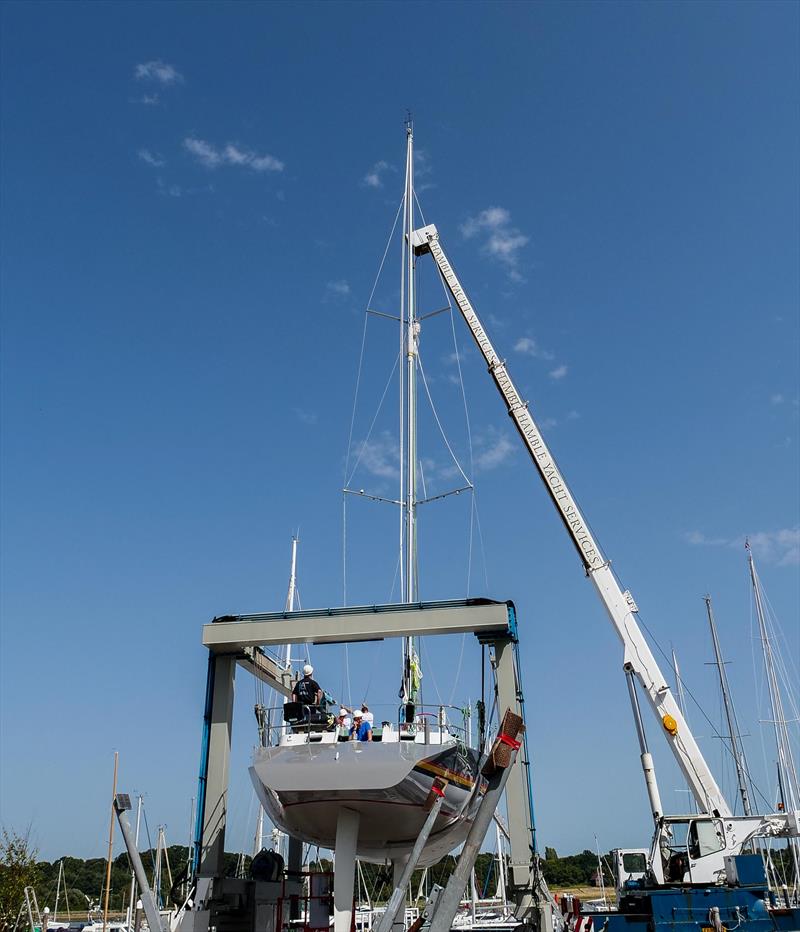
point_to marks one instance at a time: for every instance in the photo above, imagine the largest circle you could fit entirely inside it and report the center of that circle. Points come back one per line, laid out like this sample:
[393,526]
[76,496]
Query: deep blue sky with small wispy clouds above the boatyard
[196,199]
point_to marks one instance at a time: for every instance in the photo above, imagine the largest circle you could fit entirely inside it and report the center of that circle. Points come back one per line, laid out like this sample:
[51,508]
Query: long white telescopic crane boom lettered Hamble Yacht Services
[621,608]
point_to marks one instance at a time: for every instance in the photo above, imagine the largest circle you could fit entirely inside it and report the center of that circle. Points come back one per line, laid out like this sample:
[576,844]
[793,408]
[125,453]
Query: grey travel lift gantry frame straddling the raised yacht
[239,639]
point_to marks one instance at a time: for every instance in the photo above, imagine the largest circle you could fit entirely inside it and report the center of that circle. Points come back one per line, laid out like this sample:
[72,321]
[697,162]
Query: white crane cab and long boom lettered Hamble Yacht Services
[715,834]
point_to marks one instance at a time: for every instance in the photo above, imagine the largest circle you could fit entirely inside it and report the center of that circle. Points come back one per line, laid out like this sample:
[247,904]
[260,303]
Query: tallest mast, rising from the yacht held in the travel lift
[410,333]
